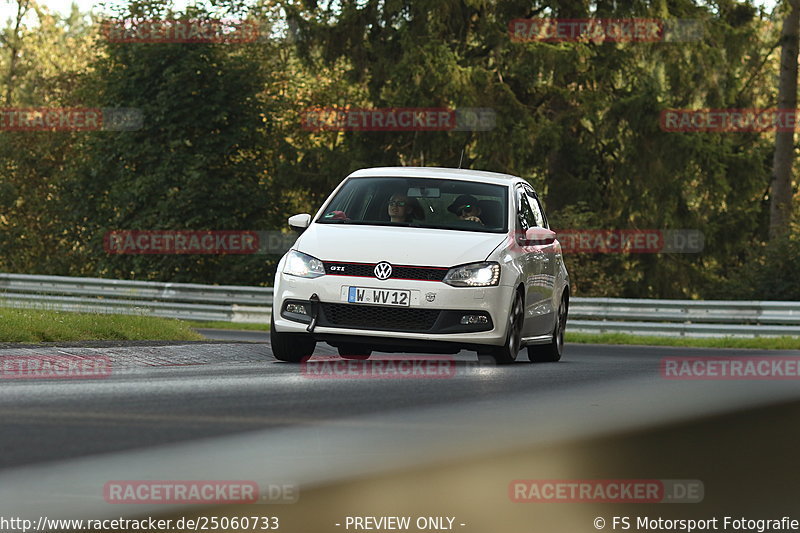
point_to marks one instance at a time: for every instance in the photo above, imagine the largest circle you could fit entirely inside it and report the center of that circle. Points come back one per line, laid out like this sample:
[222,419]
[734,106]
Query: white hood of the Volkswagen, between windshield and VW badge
[397,245]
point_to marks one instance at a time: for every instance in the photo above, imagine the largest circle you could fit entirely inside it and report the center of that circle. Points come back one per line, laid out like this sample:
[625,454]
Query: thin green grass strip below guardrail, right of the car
[764,343]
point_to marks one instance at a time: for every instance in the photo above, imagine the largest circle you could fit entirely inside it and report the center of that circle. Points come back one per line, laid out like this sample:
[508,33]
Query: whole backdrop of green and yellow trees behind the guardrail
[222,145]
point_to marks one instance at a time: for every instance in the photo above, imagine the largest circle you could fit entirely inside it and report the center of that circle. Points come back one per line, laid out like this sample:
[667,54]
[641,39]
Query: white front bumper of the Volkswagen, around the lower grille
[434,315]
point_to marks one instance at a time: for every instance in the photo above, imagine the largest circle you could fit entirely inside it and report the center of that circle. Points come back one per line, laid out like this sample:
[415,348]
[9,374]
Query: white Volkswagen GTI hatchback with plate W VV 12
[428,260]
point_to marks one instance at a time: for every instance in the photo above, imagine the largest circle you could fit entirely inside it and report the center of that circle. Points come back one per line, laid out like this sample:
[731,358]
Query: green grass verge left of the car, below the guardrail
[44,325]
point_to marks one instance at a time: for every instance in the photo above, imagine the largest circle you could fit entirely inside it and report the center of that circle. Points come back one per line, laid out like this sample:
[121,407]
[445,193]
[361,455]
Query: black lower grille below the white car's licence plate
[378,317]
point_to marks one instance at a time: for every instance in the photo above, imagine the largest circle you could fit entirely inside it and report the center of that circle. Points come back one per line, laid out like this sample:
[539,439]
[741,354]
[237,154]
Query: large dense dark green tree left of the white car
[199,161]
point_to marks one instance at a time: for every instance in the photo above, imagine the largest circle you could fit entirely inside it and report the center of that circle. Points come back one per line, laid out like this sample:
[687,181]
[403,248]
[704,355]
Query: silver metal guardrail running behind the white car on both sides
[229,303]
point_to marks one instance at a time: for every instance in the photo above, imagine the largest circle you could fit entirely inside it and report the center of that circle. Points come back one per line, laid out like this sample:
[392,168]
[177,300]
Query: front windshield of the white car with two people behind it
[420,203]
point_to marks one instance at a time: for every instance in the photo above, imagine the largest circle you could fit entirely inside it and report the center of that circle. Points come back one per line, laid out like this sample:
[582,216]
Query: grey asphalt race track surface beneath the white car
[165,394]
